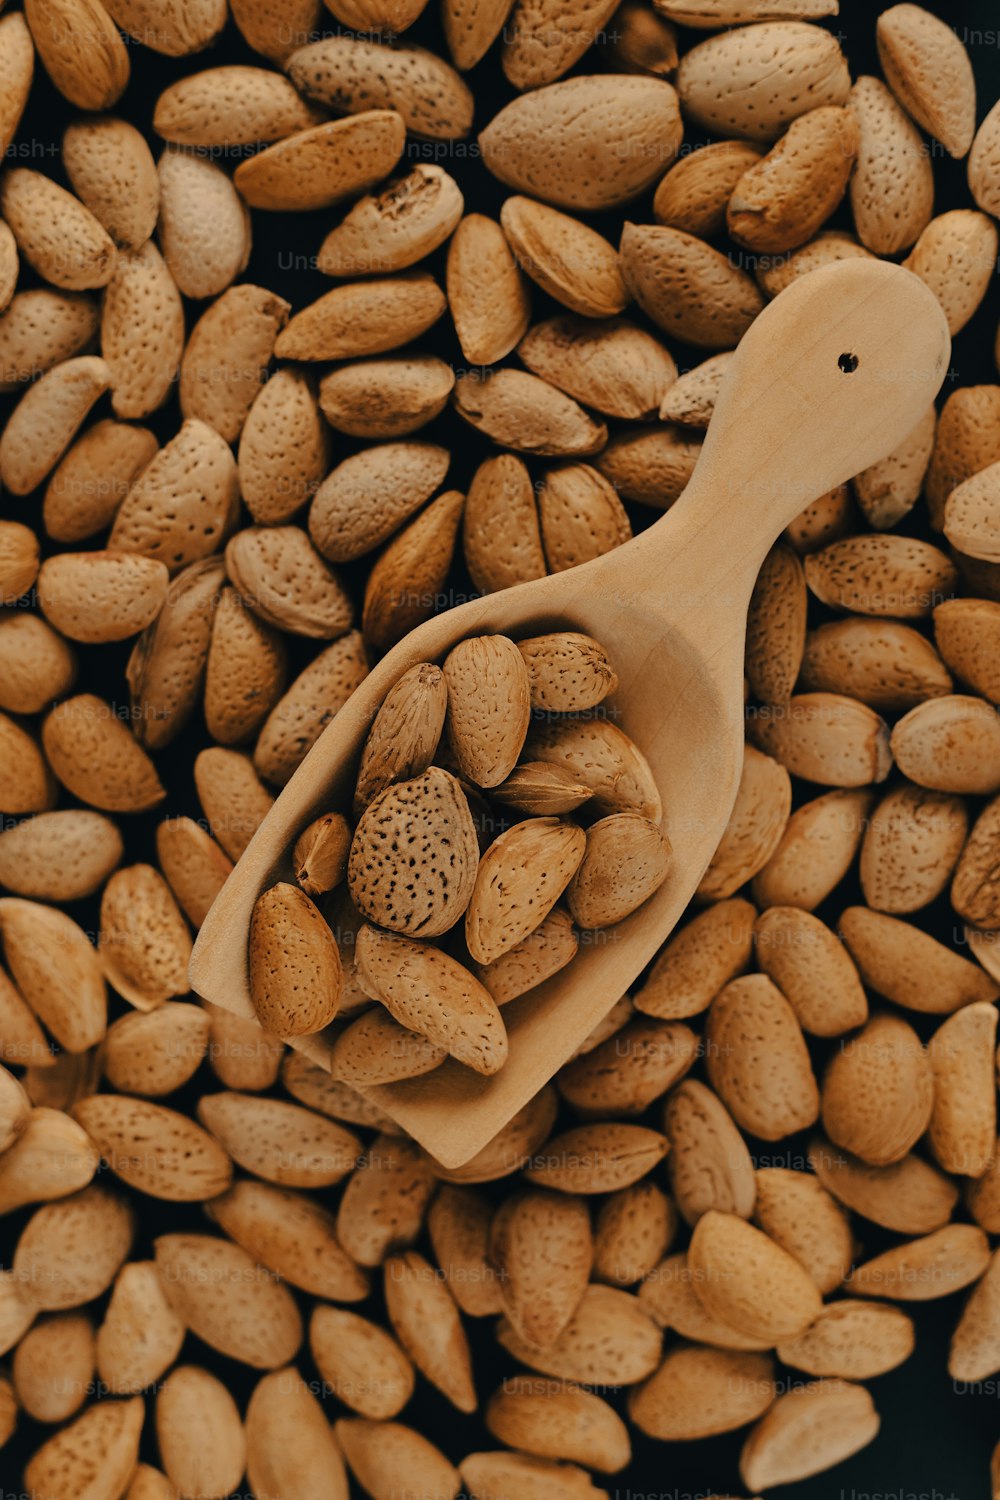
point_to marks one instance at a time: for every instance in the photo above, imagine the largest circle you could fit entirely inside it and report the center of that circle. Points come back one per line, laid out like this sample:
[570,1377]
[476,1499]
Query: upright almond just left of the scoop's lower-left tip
[145,941]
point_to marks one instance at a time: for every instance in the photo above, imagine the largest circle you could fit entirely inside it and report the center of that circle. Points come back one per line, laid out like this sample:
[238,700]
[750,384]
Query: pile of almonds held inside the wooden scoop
[424,856]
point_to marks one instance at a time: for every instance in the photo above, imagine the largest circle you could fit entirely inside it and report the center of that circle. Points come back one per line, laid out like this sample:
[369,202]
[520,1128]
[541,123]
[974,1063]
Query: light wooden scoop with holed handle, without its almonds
[831,377]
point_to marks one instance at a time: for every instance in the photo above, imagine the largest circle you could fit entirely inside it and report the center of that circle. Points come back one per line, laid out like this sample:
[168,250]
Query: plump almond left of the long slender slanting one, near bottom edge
[361,1363]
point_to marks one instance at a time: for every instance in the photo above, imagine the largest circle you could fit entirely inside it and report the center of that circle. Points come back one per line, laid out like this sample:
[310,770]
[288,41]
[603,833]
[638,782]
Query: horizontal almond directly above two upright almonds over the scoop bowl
[521,412]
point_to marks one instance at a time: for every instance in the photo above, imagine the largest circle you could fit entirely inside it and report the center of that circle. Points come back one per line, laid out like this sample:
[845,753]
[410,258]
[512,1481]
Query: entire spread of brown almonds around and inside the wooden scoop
[224,1268]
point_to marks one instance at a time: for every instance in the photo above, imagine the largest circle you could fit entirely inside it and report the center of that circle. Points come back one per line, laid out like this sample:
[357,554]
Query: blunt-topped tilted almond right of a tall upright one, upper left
[227,358]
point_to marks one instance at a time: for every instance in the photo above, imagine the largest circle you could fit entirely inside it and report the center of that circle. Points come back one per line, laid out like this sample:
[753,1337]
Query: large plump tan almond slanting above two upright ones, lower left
[226,1300]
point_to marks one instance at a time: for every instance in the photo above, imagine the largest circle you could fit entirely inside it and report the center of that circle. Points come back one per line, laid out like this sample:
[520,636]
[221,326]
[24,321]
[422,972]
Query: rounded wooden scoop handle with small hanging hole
[833,376]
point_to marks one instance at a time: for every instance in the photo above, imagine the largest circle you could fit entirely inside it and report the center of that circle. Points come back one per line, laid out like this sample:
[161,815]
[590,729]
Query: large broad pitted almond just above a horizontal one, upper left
[184,503]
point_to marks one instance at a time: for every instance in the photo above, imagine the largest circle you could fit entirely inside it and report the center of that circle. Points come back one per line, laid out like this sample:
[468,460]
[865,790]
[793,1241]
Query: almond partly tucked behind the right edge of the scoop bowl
[756,824]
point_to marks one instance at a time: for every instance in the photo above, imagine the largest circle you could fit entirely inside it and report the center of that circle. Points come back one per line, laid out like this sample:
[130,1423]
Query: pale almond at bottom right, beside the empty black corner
[806,1432]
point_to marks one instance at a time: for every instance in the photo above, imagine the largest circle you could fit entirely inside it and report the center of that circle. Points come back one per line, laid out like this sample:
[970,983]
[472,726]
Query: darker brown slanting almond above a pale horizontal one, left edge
[97,758]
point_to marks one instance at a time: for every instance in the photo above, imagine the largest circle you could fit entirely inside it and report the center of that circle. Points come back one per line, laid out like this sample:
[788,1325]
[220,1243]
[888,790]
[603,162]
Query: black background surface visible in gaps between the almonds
[935,1442]
